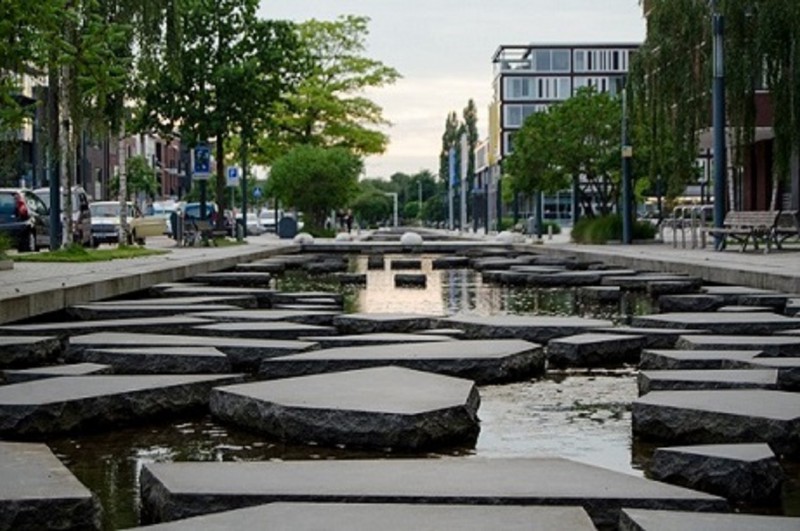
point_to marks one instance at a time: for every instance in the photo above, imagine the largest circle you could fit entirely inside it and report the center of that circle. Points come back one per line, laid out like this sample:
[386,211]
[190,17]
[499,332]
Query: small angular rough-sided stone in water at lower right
[741,472]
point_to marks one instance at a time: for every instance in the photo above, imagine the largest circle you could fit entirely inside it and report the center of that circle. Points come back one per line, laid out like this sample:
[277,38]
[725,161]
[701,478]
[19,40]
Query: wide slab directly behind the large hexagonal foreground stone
[487,361]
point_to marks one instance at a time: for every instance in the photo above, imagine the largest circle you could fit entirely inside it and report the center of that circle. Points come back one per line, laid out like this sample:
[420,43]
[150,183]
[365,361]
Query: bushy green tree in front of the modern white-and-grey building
[577,139]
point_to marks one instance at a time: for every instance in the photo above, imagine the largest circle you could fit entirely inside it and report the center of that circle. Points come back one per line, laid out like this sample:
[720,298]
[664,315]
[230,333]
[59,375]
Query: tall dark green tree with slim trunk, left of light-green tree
[230,73]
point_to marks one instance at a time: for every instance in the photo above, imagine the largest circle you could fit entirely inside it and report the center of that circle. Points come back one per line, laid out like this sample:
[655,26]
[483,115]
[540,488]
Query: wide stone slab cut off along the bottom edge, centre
[387,517]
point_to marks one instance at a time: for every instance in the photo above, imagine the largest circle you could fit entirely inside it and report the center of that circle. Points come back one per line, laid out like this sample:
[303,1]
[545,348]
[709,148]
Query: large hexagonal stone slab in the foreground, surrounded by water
[387,407]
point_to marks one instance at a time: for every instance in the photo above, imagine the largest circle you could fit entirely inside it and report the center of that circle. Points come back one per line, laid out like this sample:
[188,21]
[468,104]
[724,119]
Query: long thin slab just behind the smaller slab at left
[244,354]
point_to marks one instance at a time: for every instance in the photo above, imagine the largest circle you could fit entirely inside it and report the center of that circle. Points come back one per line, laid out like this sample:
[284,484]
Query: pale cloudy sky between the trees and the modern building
[444,48]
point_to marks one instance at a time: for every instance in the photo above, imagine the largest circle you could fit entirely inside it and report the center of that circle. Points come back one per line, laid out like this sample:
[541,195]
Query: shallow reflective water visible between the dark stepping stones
[580,416]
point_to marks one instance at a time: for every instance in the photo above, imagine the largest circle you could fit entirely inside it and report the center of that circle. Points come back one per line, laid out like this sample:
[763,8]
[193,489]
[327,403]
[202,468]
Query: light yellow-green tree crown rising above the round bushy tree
[329,108]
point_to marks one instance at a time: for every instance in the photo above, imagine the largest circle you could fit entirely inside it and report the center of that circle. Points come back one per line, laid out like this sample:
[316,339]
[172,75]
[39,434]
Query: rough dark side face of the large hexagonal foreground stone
[357,429]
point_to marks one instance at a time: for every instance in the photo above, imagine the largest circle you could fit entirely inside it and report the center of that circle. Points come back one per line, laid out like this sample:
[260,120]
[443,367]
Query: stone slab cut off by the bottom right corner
[645,520]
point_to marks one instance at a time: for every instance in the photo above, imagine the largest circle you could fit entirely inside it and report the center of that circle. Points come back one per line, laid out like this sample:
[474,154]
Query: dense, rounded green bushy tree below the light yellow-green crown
[315,180]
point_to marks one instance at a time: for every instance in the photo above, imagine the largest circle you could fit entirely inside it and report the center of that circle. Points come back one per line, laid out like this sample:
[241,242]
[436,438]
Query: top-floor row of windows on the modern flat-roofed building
[579,60]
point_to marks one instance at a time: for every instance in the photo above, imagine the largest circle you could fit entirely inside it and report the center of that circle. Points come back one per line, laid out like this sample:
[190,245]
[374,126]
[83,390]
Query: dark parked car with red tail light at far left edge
[24,219]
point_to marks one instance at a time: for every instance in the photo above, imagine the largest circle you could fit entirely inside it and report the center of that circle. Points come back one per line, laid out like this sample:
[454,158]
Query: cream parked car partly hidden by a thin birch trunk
[106,223]
